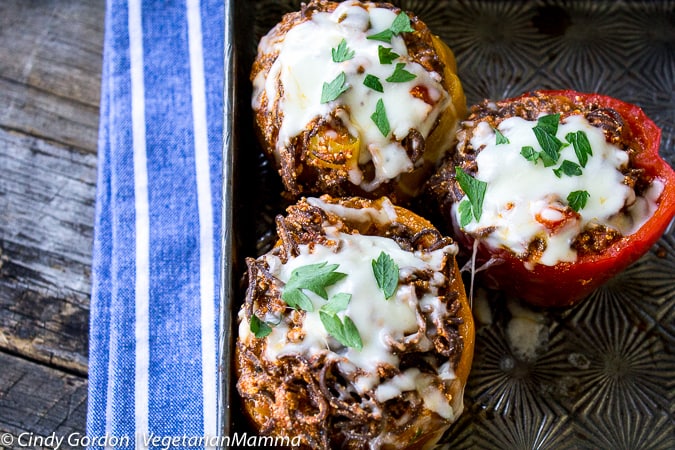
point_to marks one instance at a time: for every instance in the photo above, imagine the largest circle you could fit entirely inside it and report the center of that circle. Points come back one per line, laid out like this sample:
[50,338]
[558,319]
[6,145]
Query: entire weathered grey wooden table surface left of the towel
[50,76]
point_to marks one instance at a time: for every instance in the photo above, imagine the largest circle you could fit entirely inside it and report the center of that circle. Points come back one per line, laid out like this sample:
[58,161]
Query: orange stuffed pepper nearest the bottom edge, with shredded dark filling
[355,331]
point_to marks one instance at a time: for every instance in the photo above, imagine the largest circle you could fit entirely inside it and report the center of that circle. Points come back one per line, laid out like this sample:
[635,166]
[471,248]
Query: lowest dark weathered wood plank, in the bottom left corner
[38,401]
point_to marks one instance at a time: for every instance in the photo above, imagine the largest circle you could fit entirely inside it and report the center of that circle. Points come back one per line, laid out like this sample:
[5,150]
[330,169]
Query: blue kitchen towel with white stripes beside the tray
[154,306]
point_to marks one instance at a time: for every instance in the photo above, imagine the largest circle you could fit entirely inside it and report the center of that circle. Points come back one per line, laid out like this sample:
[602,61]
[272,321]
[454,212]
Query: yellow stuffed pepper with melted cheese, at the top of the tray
[355,98]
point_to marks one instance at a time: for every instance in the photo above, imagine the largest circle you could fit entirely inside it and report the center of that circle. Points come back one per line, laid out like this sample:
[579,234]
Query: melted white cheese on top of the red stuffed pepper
[524,200]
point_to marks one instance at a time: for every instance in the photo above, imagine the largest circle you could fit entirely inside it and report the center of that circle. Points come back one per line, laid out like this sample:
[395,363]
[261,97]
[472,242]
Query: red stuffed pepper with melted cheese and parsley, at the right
[555,192]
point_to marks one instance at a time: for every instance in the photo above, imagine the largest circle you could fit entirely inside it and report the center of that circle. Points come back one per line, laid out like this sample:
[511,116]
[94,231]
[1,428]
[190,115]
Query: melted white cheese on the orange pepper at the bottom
[378,320]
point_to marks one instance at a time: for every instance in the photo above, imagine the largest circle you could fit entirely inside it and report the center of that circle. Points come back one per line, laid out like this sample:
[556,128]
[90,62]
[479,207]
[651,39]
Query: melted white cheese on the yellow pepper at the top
[304,63]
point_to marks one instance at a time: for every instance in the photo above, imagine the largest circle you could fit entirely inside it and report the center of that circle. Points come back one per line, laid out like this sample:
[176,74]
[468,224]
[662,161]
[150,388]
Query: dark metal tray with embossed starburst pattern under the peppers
[598,375]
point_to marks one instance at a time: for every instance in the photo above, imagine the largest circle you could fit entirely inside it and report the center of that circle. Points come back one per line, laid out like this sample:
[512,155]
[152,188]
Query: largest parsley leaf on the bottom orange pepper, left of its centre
[313,277]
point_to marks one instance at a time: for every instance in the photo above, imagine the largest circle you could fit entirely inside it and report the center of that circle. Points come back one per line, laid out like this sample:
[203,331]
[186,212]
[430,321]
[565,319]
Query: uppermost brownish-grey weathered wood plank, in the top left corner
[50,74]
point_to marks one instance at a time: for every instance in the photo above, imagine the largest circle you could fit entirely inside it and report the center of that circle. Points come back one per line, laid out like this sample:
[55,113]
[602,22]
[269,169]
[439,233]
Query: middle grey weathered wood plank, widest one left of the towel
[46,232]
